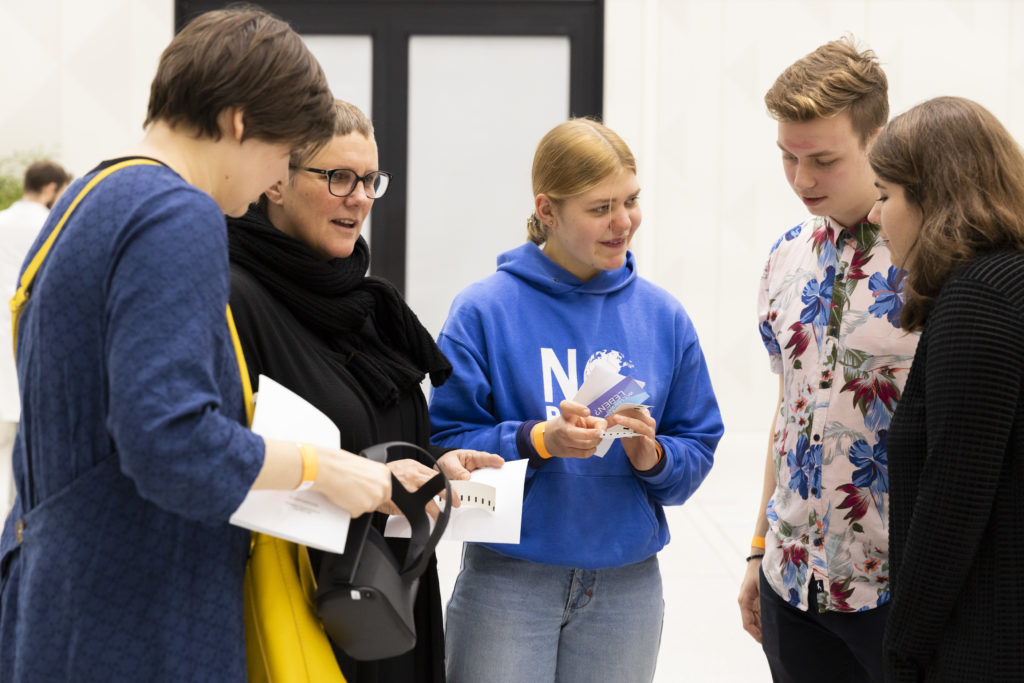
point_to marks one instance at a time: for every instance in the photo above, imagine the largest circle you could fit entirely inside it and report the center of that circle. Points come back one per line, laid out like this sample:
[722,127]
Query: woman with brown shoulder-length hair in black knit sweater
[951,181]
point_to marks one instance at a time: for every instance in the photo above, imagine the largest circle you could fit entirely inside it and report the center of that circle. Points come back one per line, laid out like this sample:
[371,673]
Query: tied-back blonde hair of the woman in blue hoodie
[574,157]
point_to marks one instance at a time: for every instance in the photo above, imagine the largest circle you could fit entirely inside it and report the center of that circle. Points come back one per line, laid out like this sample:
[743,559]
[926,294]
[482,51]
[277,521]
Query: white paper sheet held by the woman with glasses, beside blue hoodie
[479,525]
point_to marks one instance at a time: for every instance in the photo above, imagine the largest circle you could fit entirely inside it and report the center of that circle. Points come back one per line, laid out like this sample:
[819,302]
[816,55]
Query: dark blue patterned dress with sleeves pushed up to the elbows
[132,455]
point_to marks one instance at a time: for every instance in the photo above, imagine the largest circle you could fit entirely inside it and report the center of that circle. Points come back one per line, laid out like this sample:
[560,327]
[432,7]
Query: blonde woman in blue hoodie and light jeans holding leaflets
[580,597]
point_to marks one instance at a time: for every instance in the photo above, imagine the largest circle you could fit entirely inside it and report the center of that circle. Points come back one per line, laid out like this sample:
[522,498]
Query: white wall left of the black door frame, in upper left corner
[76,75]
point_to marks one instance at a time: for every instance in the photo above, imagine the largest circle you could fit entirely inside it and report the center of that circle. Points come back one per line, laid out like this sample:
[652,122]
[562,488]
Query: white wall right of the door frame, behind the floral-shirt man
[685,81]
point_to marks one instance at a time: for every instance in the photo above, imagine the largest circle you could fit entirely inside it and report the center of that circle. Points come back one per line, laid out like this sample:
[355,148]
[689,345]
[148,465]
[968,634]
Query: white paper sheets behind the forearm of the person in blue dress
[305,518]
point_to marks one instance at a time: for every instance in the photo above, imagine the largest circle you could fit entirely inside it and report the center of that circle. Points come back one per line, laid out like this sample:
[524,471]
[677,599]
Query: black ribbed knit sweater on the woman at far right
[957,482]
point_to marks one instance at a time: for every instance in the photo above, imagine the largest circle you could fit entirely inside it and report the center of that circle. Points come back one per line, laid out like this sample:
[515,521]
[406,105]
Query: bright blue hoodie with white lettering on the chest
[521,341]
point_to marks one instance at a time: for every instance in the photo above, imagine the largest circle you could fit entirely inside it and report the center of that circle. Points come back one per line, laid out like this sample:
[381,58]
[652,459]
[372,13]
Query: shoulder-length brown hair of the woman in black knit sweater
[958,164]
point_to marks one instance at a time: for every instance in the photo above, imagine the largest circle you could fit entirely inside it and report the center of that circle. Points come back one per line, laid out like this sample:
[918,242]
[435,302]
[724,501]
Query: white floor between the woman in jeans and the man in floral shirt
[703,641]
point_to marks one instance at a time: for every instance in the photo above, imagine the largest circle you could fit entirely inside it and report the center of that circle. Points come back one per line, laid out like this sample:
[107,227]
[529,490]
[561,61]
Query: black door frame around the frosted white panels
[391,24]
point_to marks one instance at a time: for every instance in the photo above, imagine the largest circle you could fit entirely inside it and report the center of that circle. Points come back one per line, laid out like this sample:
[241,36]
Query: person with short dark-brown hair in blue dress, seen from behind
[118,563]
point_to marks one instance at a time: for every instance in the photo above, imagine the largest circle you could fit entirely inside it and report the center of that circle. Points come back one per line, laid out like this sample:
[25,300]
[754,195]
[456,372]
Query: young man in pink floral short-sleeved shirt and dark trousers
[817,585]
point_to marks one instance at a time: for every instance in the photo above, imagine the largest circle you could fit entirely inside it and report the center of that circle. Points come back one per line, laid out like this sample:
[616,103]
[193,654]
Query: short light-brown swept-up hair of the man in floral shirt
[833,79]
